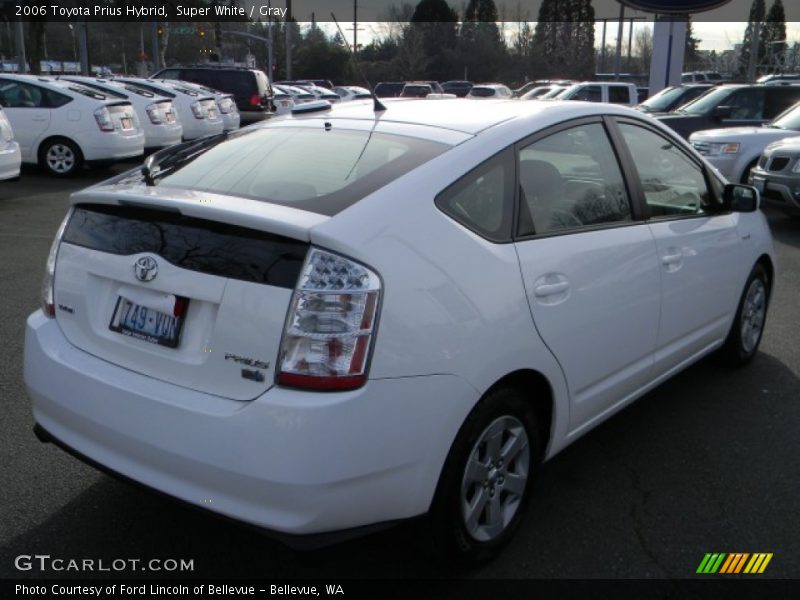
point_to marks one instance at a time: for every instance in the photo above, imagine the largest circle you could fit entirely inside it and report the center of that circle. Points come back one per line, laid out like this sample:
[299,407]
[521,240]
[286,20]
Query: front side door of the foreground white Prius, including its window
[698,244]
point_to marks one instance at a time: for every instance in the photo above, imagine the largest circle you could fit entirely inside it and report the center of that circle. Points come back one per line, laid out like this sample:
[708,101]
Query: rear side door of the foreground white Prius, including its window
[589,265]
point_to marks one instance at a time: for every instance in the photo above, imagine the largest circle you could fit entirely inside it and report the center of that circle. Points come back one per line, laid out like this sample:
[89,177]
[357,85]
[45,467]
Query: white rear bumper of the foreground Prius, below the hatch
[292,462]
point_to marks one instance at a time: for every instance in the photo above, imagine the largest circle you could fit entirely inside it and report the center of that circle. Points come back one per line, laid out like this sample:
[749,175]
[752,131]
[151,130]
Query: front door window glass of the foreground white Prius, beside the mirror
[673,184]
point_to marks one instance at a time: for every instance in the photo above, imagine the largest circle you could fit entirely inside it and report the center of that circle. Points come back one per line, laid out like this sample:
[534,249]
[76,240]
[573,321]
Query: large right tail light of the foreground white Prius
[330,325]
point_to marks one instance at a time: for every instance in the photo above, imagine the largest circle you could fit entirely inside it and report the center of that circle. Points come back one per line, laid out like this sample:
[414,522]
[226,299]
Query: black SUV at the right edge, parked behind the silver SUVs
[732,106]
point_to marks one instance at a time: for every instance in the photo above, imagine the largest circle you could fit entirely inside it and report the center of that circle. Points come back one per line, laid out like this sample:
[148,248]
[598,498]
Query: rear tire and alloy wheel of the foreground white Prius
[486,480]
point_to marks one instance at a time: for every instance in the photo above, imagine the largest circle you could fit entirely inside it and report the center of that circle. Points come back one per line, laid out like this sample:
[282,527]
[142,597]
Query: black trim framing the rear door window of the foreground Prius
[637,216]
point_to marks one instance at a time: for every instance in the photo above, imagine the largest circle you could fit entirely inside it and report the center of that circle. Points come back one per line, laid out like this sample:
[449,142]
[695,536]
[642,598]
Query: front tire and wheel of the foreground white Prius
[747,328]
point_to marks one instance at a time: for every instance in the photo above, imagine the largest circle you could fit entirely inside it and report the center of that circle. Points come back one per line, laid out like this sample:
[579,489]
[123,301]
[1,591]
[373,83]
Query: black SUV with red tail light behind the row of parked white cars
[250,87]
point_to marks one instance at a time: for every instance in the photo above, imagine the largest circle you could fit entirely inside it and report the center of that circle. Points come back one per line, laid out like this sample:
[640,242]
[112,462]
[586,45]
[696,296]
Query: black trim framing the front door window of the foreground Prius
[630,166]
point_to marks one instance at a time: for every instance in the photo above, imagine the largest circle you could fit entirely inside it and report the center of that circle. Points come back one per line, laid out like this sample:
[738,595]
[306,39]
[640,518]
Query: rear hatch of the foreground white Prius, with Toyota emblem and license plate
[181,286]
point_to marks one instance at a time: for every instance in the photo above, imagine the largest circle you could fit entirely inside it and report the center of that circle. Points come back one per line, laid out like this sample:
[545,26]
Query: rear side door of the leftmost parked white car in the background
[27,108]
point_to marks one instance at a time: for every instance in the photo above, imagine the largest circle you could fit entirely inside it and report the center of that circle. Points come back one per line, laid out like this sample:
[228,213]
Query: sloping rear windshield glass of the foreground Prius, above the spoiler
[315,169]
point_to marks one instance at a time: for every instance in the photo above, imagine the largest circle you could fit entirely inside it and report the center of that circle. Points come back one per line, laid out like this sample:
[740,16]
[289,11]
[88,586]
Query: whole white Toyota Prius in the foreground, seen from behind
[351,317]
